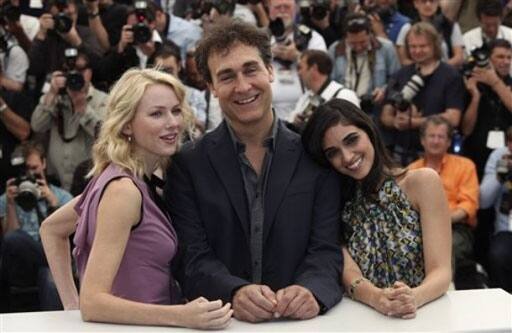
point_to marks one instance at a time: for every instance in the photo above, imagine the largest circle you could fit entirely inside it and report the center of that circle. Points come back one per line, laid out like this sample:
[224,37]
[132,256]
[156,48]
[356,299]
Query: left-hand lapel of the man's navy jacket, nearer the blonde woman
[225,163]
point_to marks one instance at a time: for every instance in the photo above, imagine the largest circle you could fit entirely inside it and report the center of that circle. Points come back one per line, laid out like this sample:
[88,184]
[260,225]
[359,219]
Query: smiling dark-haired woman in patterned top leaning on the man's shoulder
[397,248]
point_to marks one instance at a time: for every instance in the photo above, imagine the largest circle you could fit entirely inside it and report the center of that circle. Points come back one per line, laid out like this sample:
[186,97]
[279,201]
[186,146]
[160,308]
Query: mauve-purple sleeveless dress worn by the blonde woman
[144,274]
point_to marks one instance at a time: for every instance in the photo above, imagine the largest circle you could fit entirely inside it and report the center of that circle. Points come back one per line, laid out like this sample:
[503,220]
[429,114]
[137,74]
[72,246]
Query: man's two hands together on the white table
[256,303]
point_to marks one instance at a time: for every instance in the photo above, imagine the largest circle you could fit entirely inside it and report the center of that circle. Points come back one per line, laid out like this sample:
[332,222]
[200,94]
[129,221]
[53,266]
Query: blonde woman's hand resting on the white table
[203,314]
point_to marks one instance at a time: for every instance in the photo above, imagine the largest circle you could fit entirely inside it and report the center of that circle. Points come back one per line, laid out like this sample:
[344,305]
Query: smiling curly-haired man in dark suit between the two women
[258,221]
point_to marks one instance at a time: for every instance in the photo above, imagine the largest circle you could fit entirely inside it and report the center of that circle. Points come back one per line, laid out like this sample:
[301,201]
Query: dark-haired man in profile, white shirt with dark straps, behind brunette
[315,67]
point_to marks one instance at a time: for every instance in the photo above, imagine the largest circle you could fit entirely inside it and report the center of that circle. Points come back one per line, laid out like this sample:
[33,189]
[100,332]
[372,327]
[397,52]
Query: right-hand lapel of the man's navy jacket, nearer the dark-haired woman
[284,163]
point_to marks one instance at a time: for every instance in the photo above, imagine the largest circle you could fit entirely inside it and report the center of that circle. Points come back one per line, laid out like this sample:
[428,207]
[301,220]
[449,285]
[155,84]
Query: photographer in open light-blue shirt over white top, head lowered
[362,62]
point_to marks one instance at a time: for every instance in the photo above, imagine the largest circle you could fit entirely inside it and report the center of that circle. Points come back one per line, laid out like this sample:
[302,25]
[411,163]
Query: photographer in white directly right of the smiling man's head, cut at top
[288,41]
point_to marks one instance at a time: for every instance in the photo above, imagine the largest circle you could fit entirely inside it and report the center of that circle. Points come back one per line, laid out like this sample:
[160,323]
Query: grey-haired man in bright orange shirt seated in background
[460,183]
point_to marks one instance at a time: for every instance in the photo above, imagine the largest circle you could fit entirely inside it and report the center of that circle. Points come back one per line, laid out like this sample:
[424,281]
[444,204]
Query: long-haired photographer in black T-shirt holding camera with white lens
[426,87]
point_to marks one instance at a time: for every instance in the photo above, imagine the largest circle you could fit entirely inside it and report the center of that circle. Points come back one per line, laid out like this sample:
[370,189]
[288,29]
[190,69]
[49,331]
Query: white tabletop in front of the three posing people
[488,310]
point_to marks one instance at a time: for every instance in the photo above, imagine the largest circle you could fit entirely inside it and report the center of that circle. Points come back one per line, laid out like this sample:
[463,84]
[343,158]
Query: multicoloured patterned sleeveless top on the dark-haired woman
[384,236]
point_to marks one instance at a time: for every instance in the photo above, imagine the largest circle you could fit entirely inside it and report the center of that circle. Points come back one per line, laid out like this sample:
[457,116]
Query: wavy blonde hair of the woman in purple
[112,146]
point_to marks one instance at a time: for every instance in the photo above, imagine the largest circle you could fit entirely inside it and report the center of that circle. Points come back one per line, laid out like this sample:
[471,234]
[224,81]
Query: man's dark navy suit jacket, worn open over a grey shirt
[208,206]
